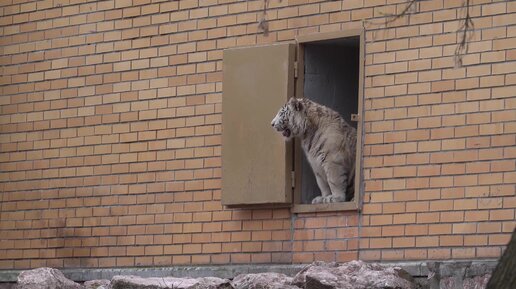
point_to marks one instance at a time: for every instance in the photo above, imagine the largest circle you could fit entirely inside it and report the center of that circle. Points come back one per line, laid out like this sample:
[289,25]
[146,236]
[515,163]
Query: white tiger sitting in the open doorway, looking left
[329,144]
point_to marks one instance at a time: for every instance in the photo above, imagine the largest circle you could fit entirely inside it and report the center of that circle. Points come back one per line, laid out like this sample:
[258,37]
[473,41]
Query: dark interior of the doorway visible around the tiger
[331,71]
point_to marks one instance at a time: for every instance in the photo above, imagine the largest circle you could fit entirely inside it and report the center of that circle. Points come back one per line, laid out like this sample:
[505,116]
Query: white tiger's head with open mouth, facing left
[290,119]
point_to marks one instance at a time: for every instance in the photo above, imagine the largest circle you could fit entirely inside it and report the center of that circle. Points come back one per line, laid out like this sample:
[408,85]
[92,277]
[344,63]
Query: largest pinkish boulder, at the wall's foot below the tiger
[353,275]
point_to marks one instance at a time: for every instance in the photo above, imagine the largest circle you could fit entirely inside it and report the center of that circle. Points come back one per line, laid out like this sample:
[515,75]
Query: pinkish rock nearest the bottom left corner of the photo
[45,278]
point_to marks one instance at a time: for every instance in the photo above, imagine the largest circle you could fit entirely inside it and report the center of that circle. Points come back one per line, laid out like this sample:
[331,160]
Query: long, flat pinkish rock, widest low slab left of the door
[134,282]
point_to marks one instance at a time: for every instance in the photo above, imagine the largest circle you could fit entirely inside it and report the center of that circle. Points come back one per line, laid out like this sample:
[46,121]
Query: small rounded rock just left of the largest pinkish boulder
[263,281]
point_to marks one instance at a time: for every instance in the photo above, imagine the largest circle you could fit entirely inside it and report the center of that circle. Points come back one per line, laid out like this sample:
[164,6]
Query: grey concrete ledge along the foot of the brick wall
[416,269]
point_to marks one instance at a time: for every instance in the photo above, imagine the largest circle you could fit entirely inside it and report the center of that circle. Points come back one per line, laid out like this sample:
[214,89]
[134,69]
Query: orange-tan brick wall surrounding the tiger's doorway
[110,134]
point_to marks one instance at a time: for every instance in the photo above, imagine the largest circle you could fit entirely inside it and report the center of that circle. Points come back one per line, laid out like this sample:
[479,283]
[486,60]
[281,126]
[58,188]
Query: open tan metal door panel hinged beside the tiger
[256,161]
